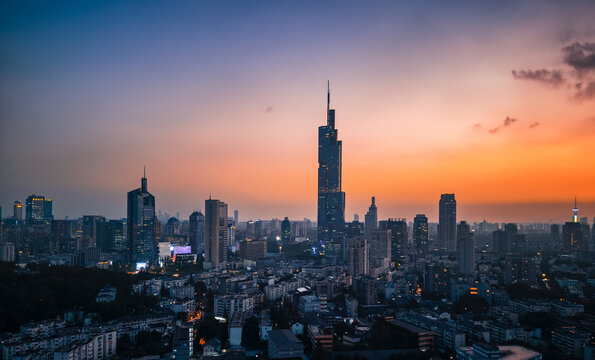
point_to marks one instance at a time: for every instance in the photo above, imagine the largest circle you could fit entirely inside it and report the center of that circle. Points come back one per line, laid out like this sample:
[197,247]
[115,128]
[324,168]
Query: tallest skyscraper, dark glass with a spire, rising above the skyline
[331,199]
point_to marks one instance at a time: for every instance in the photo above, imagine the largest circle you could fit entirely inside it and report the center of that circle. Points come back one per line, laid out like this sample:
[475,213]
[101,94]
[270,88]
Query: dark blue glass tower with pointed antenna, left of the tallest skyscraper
[141,225]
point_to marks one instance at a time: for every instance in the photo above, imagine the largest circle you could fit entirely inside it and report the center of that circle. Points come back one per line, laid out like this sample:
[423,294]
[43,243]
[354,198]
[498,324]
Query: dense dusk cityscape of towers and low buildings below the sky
[153,285]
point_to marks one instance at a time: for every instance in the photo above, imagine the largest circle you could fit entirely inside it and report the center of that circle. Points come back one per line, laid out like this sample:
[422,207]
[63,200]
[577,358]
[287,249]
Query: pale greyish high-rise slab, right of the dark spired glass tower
[215,232]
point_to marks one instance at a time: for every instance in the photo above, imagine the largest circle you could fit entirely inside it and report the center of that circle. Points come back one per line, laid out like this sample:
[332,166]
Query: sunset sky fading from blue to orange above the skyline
[492,101]
